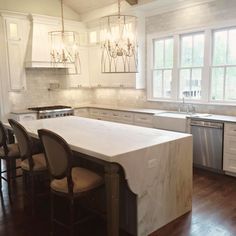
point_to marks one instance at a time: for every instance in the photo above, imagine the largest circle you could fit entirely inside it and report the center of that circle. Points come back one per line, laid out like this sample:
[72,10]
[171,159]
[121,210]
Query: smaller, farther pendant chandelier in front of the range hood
[64,48]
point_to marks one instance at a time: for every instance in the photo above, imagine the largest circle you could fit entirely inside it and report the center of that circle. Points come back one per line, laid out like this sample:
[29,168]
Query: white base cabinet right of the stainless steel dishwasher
[229,156]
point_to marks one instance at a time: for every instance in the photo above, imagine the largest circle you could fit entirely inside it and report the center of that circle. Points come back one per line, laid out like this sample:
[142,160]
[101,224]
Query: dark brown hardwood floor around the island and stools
[214,212]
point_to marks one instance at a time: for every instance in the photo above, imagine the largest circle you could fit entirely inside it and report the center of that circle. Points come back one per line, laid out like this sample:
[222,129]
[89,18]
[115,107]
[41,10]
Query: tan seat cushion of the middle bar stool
[39,163]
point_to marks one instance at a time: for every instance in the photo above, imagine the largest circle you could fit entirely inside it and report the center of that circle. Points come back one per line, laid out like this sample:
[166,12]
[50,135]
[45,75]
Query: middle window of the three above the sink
[191,65]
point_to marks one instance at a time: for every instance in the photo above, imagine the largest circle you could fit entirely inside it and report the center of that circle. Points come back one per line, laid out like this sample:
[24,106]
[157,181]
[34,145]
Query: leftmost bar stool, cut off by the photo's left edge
[9,153]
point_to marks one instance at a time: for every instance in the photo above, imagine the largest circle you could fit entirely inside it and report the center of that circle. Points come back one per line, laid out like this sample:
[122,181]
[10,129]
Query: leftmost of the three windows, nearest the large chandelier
[162,68]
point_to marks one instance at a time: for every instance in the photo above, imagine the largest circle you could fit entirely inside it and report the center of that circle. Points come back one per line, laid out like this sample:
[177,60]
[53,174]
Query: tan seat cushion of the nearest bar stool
[83,179]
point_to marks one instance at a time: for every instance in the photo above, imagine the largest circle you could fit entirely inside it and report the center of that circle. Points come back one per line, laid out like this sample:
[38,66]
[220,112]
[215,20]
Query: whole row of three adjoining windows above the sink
[198,66]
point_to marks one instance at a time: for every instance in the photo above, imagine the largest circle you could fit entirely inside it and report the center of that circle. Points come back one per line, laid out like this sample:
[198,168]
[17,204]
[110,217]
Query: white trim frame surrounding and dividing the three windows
[207,67]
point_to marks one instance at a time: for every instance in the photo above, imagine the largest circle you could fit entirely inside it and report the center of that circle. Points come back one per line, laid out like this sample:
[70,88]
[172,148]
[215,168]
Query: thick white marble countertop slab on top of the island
[95,137]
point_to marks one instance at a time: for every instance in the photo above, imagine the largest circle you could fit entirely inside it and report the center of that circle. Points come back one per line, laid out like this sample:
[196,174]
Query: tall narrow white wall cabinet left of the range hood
[16,31]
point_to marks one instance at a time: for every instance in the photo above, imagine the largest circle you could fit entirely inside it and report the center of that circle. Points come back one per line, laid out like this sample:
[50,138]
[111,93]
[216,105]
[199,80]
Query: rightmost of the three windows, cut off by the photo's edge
[223,74]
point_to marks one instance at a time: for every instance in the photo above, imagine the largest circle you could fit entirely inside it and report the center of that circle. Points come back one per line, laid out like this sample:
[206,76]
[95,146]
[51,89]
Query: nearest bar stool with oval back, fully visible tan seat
[66,181]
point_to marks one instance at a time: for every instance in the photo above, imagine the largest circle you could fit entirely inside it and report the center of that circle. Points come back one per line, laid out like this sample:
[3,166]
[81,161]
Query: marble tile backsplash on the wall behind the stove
[38,94]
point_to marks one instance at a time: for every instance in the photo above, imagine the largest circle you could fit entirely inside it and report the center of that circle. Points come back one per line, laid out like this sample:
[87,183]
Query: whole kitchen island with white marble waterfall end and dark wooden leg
[157,166]
